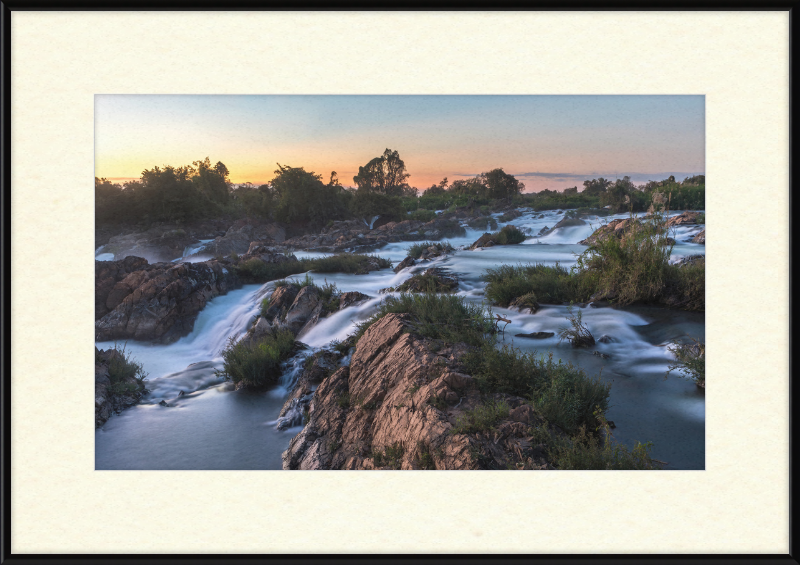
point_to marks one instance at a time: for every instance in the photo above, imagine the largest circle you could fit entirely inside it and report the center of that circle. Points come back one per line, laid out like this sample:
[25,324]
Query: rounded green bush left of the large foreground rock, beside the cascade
[256,363]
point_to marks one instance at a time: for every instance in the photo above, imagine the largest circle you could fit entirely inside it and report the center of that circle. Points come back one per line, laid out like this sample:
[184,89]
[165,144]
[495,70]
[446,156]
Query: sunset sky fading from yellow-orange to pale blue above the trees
[545,141]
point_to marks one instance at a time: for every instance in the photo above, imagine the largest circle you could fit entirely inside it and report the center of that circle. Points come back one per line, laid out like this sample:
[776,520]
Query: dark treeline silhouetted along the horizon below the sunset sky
[299,197]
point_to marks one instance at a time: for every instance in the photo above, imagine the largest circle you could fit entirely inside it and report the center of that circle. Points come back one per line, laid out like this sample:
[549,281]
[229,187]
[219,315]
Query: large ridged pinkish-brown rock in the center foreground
[395,407]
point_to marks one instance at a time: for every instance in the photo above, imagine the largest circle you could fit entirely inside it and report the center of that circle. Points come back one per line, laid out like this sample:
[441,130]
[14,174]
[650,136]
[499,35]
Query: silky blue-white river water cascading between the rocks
[211,426]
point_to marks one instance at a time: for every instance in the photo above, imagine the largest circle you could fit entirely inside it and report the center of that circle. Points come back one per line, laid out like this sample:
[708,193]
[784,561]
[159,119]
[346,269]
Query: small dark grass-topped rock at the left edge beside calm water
[108,398]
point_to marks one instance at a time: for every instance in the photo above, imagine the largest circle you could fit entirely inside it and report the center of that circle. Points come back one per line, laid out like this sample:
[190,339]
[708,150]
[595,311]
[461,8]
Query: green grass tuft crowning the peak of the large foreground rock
[437,316]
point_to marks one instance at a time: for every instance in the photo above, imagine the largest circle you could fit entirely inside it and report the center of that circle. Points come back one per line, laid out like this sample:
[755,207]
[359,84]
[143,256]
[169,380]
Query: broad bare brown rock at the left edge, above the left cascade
[154,302]
